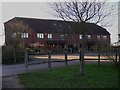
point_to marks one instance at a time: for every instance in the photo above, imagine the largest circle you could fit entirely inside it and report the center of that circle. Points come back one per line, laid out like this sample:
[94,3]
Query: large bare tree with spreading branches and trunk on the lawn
[81,12]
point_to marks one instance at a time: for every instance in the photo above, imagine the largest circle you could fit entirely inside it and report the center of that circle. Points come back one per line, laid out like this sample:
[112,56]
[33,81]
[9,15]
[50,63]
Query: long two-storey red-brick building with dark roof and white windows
[58,34]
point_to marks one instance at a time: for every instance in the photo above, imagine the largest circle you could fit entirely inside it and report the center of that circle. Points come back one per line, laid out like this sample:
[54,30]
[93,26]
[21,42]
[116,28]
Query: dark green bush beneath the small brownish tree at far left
[8,55]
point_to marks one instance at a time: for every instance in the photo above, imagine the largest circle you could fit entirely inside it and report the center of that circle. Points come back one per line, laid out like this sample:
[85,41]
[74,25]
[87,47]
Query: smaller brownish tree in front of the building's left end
[13,31]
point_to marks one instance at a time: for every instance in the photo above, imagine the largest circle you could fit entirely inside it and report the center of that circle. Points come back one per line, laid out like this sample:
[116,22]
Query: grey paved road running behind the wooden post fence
[8,70]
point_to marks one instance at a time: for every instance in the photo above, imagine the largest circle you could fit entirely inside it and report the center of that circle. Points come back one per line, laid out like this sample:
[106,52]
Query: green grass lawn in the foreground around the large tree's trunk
[103,76]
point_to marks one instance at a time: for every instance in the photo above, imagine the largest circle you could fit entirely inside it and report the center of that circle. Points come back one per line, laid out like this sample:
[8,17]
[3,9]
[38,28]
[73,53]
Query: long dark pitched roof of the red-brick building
[58,26]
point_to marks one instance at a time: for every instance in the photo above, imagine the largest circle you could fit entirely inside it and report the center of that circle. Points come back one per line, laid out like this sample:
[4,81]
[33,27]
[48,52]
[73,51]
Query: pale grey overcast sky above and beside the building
[42,10]
